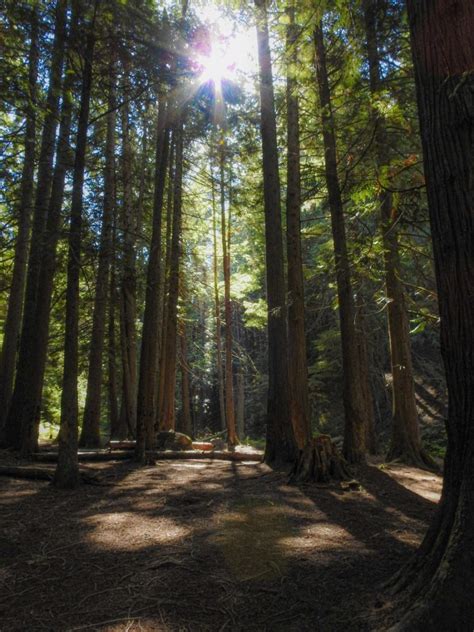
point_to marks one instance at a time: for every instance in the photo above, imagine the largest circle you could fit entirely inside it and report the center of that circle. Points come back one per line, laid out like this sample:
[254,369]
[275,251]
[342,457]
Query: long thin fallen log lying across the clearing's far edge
[124,455]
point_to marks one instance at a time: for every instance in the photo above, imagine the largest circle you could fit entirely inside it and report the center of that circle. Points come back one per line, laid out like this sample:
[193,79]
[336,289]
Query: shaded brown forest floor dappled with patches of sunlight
[206,546]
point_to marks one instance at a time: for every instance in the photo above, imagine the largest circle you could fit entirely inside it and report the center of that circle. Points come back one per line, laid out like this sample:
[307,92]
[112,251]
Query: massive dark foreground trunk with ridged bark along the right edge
[438,583]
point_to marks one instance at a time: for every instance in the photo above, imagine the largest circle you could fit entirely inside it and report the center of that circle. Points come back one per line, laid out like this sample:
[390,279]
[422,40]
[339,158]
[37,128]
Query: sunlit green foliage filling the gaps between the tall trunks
[155,62]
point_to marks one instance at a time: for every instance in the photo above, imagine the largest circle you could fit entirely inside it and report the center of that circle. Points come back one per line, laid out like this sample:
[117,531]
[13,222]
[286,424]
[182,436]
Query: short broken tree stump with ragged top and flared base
[320,462]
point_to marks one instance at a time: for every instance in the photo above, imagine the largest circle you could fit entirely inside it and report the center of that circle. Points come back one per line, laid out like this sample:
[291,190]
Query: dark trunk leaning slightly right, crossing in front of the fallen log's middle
[149,358]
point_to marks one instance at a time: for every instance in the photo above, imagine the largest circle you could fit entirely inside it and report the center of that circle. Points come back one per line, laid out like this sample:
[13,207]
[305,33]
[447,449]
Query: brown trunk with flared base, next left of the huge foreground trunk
[406,441]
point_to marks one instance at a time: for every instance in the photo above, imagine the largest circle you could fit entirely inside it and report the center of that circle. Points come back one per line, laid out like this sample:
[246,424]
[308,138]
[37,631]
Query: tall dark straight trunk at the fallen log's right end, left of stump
[281,444]
